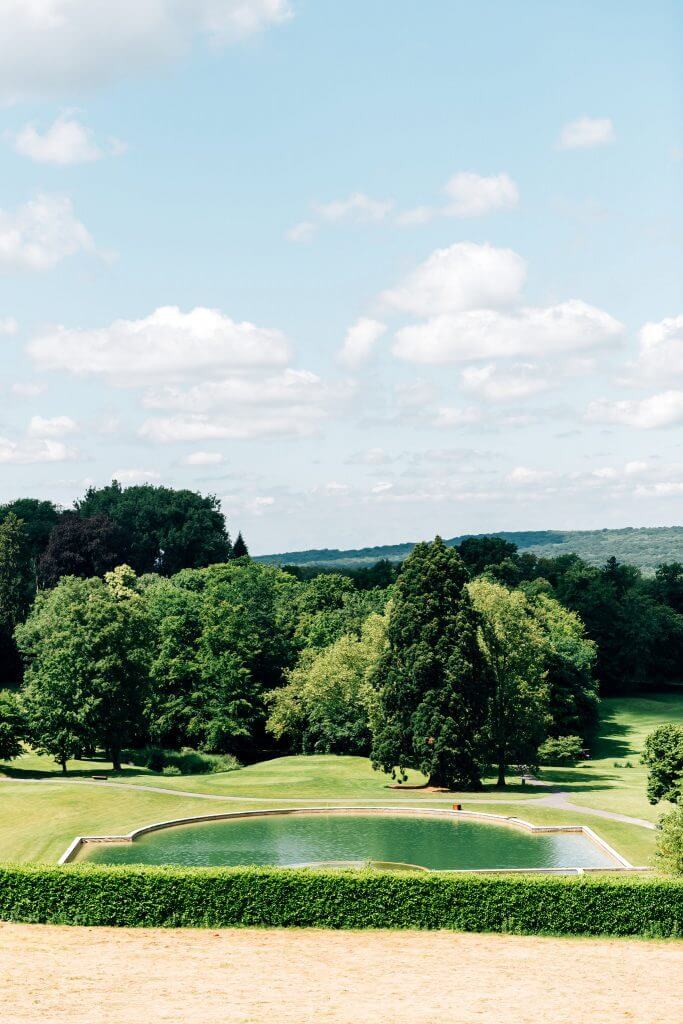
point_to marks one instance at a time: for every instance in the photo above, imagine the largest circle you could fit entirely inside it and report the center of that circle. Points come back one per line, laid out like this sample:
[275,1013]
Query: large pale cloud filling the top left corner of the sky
[50,47]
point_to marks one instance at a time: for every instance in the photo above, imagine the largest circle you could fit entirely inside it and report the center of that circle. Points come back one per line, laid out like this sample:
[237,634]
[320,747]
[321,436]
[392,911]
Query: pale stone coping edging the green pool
[621,864]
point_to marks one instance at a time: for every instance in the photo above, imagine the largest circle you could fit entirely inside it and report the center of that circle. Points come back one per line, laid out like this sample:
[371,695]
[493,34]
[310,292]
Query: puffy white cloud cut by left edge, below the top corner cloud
[41,234]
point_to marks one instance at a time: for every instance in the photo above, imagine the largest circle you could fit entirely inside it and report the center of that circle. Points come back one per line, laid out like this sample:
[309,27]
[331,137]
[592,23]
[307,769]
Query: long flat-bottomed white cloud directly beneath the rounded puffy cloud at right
[489,334]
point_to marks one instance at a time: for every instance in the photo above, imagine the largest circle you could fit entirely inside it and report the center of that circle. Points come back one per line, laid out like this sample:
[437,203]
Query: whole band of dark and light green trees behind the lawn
[461,662]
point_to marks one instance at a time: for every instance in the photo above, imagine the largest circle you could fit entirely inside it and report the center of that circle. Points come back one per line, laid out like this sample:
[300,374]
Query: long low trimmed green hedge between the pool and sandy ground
[288,898]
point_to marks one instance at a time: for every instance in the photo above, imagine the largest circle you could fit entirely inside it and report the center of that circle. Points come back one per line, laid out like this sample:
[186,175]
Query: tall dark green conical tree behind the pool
[434,682]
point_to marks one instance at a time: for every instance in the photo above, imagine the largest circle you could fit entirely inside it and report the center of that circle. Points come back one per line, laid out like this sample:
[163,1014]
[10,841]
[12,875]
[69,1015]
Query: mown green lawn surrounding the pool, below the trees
[41,813]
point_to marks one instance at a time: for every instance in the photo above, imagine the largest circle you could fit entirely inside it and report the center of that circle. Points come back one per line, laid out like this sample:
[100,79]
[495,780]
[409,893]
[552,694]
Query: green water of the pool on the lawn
[434,843]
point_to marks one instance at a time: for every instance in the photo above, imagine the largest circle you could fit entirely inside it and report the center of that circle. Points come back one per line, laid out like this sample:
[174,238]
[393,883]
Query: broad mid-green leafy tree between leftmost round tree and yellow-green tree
[224,637]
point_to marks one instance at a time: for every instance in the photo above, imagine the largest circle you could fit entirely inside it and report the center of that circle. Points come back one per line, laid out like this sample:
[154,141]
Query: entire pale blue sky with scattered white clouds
[367,271]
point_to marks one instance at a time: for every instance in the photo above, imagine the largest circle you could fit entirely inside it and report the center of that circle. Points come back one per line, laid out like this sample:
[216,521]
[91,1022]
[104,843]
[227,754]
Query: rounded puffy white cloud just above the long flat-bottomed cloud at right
[463,277]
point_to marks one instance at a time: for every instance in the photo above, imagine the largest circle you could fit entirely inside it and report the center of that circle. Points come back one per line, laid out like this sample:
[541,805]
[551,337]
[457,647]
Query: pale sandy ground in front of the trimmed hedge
[118,976]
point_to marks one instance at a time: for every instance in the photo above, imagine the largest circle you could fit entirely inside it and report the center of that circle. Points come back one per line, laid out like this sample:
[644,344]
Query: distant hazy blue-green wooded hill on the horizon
[646,547]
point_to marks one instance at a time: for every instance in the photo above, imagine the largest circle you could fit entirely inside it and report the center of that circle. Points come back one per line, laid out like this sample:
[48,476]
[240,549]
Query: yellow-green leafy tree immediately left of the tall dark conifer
[329,698]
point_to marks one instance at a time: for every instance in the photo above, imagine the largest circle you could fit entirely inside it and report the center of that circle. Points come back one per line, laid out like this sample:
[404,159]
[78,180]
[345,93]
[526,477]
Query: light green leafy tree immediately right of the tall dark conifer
[514,648]
